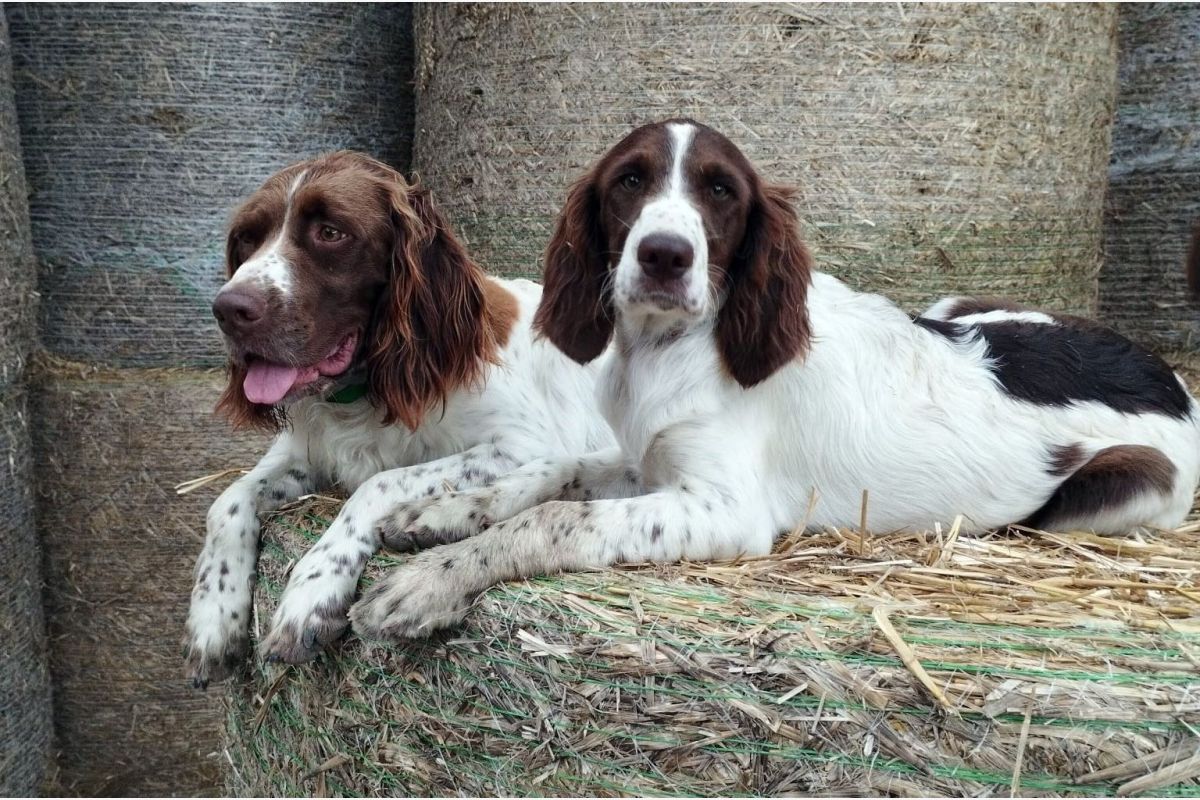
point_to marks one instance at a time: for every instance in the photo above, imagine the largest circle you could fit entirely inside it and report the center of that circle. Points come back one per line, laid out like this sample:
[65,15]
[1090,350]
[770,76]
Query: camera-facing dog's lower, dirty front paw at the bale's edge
[413,600]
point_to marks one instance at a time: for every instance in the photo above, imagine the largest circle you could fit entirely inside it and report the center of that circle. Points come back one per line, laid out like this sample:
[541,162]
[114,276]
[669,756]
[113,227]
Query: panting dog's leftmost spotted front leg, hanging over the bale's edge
[219,617]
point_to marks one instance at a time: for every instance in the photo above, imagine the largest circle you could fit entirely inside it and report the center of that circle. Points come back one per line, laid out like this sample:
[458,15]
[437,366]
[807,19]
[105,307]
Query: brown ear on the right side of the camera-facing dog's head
[765,321]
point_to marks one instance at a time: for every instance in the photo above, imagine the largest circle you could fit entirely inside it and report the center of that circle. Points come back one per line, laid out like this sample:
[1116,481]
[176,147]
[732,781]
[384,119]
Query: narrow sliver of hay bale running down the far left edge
[25,681]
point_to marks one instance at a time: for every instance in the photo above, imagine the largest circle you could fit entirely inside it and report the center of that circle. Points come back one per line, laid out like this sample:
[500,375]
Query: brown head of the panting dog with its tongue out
[340,272]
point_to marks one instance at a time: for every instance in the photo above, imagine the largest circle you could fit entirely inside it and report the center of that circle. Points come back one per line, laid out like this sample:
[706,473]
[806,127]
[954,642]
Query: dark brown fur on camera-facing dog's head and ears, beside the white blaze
[755,252]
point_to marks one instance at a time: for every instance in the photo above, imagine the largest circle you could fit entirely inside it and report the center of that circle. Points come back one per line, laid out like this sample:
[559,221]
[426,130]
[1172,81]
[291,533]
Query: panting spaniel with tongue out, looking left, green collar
[359,328]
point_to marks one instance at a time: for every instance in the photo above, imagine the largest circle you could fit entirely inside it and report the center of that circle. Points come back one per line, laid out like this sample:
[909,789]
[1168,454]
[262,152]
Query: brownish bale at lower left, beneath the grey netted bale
[119,552]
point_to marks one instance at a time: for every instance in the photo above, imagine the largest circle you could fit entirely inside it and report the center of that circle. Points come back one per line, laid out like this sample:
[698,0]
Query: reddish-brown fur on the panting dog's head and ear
[423,305]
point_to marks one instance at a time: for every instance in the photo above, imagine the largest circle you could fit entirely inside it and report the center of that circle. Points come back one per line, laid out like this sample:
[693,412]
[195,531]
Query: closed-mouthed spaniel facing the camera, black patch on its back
[751,395]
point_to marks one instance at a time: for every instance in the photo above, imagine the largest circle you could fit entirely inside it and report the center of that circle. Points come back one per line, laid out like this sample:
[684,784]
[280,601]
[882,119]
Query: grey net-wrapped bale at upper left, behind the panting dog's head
[146,125]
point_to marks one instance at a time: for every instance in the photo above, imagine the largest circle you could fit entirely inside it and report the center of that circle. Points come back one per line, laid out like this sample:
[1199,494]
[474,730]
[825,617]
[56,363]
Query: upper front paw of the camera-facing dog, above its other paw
[436,521]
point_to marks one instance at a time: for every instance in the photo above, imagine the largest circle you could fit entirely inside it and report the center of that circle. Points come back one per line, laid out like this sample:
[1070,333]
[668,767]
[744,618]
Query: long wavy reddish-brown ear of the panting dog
[429,335]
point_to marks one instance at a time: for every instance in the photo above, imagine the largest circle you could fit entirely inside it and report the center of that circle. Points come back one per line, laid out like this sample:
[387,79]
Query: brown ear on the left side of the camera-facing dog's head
[577,310]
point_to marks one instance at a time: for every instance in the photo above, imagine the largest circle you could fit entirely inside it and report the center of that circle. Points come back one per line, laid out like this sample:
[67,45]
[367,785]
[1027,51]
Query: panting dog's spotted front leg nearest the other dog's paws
[313,610]
